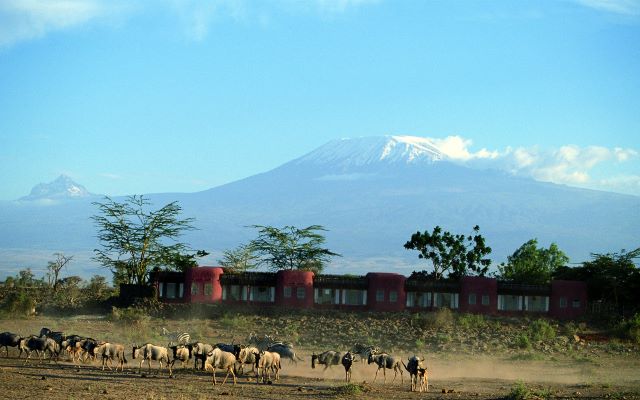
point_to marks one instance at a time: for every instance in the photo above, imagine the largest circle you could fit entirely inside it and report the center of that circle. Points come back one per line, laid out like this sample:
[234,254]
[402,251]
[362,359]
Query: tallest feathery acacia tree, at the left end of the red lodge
[135,239]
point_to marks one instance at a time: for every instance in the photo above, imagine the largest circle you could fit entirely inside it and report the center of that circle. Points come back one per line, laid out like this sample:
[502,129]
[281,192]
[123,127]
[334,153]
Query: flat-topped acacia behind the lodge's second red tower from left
[291,248]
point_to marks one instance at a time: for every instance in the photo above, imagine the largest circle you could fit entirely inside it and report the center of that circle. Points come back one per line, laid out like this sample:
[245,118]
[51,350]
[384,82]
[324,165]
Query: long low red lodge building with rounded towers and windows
[375,291]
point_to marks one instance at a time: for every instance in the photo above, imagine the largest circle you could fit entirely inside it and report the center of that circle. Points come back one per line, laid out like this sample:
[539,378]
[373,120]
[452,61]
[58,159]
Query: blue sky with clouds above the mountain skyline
[132,97]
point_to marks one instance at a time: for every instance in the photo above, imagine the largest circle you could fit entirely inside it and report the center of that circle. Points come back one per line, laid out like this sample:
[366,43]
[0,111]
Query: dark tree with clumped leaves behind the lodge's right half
[458,254]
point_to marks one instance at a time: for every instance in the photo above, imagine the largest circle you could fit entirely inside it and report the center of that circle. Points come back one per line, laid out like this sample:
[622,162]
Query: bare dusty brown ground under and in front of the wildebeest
[595,374]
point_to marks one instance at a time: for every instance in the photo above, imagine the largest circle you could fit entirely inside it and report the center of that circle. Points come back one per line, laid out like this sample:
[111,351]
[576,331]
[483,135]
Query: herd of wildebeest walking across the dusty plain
[262,354]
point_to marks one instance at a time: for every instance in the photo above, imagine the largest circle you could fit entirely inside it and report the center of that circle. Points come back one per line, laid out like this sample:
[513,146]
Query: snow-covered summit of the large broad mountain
[371,150]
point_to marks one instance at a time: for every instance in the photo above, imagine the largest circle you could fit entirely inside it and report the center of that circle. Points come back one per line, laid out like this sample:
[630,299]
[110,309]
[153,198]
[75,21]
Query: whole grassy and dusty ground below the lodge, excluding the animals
[468,356]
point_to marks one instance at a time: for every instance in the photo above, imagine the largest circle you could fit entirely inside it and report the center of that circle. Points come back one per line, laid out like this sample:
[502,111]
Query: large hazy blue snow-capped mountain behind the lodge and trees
[371,194]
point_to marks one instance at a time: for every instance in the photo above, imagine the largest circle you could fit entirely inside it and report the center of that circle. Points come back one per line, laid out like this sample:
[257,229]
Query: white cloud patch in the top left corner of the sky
[22,20]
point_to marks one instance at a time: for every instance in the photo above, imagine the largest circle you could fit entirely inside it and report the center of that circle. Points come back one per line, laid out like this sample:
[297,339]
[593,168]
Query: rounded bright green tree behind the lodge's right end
[533,264]
